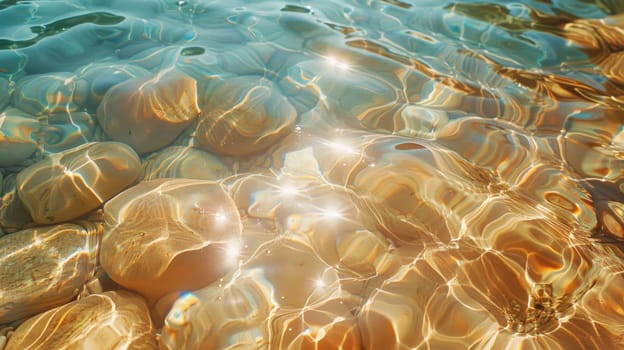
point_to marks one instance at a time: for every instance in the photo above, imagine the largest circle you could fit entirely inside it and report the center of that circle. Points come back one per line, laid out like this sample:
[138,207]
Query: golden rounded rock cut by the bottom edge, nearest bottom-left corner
[111,320]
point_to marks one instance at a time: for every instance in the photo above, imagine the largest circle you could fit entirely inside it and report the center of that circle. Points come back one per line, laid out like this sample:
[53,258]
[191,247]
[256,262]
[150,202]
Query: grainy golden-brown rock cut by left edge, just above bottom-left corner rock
[44,267]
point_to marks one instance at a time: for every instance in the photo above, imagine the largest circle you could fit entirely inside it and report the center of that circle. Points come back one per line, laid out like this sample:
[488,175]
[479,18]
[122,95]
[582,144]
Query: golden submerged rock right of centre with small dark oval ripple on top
[415,191]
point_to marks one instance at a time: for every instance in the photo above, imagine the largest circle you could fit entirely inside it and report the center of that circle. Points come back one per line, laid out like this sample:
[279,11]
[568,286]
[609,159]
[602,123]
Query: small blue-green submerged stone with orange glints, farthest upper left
[50,93]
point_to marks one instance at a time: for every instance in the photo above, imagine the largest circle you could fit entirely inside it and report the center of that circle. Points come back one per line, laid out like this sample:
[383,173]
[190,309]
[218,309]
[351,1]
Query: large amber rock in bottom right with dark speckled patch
[467,297]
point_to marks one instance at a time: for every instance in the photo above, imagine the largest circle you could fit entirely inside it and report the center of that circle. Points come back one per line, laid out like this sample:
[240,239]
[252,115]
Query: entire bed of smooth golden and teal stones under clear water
[310,207]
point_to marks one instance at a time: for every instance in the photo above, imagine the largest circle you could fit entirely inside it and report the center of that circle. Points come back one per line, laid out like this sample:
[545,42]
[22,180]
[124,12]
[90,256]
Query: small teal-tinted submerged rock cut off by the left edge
[18,136]
